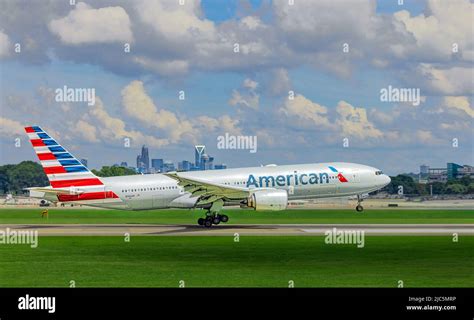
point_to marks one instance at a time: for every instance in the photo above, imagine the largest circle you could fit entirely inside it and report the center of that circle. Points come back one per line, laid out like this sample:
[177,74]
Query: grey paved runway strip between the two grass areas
[243,229]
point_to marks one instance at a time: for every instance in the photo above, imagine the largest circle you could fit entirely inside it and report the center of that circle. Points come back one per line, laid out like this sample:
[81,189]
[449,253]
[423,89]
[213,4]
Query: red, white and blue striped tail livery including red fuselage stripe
[64,171]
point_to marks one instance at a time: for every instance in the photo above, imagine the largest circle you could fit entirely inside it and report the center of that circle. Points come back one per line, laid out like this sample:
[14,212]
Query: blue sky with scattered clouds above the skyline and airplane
[306,78]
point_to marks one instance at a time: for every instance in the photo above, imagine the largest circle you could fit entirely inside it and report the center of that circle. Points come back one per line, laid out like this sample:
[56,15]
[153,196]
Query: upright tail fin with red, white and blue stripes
[61,167]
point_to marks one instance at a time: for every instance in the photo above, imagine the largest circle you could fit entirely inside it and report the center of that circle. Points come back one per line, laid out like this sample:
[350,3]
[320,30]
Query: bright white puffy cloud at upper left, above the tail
[87,25]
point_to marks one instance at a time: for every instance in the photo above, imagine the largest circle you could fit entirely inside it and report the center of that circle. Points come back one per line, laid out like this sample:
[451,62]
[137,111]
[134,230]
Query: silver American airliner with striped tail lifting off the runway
[259,188]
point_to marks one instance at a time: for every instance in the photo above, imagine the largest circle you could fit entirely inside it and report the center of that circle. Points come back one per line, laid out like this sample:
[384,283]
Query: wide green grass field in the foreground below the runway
[253,262]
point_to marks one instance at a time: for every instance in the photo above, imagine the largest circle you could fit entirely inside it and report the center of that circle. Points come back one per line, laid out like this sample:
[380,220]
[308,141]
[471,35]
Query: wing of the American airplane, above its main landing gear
[210,192]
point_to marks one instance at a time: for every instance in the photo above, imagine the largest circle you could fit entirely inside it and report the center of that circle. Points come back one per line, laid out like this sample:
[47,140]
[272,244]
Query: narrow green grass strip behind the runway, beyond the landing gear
[64,216]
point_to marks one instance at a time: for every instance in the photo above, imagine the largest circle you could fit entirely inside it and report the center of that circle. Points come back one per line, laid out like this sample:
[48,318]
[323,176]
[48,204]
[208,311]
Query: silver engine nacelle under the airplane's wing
[268,199]
